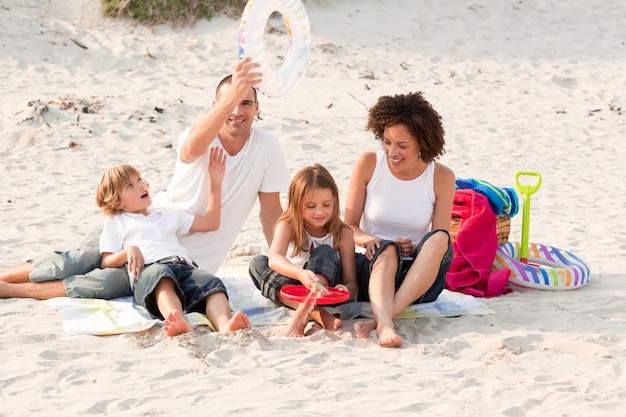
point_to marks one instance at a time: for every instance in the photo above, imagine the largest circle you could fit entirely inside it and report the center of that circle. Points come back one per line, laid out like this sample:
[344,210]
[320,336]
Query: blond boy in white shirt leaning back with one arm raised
[164,279]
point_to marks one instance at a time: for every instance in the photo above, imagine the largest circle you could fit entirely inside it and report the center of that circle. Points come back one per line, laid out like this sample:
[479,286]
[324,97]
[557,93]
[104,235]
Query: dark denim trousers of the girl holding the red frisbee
[324,261]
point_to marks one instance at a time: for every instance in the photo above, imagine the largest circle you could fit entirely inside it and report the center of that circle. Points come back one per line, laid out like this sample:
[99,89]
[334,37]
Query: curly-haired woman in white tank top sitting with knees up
[399,206]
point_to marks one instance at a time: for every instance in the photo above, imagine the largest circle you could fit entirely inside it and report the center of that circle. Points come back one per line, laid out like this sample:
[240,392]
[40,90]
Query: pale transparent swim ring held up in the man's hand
[251,30]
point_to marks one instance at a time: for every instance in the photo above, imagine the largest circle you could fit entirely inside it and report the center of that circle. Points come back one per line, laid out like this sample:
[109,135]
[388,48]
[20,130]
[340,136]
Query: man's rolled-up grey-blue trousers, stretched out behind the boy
[80,271]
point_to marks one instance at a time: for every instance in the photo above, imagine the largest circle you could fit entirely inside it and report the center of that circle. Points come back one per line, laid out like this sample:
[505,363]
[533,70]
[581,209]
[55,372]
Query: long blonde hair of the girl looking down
[311,178]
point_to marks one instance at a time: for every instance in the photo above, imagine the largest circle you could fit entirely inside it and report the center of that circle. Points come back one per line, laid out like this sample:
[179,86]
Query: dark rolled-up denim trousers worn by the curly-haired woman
[364,269]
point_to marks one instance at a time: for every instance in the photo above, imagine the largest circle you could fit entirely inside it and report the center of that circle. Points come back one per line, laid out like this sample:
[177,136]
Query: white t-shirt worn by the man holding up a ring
[258,167]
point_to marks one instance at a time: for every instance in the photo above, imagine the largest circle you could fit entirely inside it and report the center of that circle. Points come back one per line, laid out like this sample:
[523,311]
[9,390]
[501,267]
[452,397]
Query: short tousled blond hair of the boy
[111,186]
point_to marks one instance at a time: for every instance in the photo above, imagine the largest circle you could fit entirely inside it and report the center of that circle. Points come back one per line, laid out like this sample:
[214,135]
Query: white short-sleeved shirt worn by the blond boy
[156,234]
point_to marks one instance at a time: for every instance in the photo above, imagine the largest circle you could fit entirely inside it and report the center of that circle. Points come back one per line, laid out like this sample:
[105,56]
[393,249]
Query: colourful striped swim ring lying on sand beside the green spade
[548,268]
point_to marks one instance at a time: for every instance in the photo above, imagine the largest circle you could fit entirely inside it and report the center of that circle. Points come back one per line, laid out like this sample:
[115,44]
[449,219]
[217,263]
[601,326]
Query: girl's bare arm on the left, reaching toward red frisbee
[278,261]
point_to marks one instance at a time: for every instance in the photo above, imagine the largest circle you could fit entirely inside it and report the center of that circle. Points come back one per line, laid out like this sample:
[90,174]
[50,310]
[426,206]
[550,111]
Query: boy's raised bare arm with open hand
[211,219]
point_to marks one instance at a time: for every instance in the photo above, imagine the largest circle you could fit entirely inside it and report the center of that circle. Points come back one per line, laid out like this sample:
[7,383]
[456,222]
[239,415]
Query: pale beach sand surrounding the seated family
[521,86]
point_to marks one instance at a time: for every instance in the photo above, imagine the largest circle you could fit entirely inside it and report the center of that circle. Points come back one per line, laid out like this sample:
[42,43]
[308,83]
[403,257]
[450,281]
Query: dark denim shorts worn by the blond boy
[192,285]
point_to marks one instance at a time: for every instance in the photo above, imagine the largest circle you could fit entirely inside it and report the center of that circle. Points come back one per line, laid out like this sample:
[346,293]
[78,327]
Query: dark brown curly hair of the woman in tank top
[413,111]
